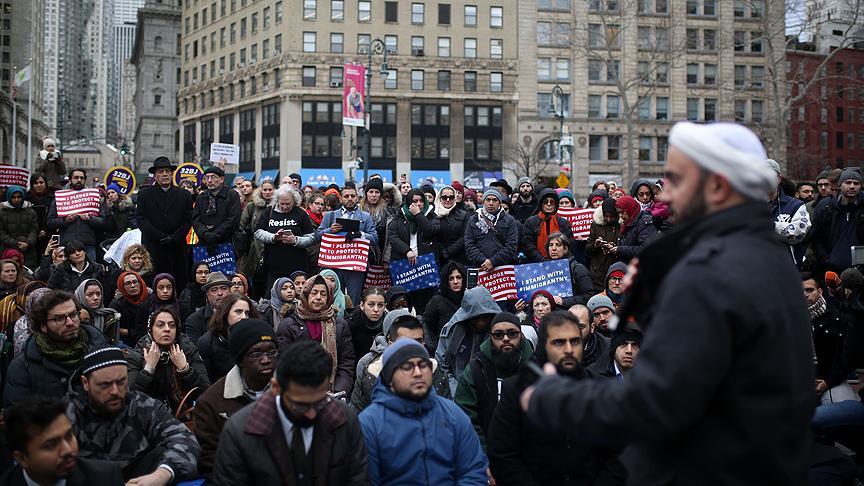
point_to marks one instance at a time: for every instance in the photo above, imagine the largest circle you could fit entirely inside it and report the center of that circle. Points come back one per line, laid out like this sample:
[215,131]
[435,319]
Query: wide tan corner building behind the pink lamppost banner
[267,76]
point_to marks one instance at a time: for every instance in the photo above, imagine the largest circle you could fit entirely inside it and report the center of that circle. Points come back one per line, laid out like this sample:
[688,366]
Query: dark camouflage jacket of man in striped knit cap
[143,425]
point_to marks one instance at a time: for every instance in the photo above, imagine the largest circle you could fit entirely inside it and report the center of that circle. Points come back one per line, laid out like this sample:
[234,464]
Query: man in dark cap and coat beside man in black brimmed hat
[216,214]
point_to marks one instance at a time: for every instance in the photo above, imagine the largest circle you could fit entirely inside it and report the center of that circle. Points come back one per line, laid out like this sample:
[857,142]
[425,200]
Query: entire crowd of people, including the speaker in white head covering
[156,369]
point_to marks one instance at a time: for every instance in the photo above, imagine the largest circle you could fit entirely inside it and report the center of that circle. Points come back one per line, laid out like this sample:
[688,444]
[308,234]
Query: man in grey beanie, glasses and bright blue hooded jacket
[413,435]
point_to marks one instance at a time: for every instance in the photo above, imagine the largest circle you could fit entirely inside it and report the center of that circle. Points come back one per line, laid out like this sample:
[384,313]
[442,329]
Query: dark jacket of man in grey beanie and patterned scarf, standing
[498,245]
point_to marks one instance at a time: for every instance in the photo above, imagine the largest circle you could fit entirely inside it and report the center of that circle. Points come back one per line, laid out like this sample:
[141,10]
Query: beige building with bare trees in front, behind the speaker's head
[628,71]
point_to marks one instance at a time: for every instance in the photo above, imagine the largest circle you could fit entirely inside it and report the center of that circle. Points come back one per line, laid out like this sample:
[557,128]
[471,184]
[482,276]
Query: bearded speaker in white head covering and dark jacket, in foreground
[723,393]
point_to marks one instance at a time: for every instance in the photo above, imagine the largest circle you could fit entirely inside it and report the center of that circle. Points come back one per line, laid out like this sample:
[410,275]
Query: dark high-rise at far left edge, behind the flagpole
[19,19]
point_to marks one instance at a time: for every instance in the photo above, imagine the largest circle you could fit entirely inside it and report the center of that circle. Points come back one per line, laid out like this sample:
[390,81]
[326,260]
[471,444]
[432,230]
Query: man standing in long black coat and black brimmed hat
[164,216]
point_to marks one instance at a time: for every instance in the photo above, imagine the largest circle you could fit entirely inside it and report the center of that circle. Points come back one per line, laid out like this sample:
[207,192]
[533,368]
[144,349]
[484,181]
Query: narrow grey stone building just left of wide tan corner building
[156,62]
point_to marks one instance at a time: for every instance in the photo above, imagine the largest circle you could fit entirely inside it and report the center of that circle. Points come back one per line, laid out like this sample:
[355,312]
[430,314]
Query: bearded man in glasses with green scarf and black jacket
[55,351]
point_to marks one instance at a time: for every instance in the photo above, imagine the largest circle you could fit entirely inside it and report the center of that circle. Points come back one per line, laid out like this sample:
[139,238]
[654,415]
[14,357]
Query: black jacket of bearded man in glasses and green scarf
[30,373]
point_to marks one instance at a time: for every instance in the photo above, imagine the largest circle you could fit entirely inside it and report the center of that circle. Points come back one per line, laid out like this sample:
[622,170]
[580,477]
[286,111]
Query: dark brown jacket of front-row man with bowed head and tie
[253,450]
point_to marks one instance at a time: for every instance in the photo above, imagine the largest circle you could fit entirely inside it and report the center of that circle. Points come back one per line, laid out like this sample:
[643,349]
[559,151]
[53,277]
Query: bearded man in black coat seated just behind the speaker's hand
[522,455]
